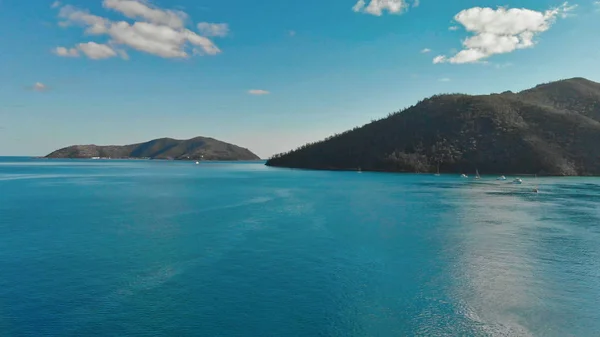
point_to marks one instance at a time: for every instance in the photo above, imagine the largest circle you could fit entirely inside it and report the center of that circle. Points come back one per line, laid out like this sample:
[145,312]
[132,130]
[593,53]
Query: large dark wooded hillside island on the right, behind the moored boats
[552,129]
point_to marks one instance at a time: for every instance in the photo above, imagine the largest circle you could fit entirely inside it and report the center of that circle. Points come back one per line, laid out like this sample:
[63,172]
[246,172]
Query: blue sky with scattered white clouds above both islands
[269,75]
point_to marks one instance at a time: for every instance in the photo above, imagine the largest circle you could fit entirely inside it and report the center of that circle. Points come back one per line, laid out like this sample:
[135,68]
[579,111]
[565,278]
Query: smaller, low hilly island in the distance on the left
[199,148]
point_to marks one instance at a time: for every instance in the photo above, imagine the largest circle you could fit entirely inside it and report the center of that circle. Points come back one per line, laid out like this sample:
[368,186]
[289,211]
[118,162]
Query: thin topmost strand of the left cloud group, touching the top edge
[140,9]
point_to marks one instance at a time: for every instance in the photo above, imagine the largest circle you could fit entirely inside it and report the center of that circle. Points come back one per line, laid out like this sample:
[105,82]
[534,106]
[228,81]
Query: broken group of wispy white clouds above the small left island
[156,31]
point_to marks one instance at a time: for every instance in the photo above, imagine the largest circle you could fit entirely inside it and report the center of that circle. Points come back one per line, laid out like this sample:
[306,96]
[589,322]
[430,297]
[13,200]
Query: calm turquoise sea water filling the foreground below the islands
[150,248]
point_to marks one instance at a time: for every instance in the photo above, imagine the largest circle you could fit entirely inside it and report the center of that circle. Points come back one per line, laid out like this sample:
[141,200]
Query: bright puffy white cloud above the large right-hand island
[501,31]
